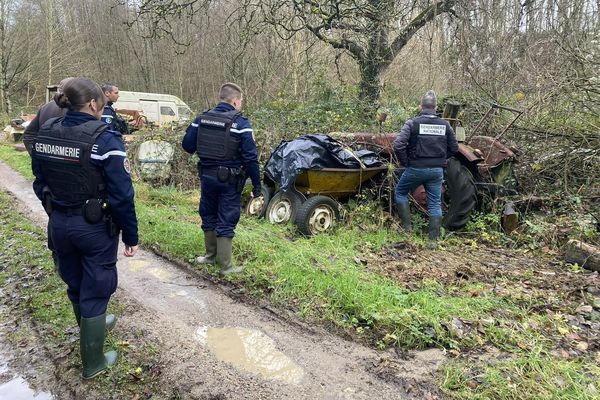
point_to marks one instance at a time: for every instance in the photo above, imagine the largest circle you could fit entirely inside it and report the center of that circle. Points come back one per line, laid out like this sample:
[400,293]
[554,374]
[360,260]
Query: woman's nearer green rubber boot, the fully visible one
[93,358]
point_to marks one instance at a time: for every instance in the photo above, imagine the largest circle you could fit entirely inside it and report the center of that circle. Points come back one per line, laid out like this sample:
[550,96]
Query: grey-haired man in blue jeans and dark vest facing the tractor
[423,147]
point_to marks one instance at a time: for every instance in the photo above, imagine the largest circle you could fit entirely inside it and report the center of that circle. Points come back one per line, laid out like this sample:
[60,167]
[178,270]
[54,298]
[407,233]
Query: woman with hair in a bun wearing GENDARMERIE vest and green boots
[82,178]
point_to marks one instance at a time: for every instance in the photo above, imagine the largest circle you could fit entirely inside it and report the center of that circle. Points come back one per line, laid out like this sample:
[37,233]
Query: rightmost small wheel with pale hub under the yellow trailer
[317,215]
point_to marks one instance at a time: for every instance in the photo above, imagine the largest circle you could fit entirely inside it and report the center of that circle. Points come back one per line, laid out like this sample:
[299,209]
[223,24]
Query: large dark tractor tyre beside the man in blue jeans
[461,194]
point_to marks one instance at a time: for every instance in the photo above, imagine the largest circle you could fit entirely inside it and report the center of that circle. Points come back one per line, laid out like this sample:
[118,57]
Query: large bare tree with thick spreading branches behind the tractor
[372,32]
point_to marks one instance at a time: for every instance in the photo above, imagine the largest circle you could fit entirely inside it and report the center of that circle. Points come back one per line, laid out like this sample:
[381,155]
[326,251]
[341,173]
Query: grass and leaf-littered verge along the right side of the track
[349,281]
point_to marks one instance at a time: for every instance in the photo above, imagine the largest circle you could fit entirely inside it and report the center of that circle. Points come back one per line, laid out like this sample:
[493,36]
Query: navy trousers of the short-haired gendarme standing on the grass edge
[219,205]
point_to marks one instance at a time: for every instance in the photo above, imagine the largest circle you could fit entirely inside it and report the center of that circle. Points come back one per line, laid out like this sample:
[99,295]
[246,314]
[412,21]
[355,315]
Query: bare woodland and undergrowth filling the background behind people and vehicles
[311,65]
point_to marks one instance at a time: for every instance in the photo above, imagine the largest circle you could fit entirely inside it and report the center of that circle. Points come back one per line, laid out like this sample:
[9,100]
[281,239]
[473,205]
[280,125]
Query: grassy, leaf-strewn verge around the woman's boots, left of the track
[38,294]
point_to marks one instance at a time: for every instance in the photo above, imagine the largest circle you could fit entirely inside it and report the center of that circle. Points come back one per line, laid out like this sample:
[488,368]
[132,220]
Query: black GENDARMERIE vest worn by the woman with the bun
[64,156]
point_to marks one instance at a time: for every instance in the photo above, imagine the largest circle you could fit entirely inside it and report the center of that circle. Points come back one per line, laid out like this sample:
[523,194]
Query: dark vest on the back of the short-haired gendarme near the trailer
[214,141]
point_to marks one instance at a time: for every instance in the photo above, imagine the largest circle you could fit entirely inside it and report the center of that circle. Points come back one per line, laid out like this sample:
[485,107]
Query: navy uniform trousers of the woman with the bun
[87,261]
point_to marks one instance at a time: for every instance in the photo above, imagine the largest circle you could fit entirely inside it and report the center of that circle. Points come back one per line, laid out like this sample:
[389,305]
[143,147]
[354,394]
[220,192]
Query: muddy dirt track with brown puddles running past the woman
[213,346]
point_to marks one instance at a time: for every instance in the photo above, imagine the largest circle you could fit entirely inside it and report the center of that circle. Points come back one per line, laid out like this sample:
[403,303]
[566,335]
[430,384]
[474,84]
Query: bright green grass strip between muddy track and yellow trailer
[318,277]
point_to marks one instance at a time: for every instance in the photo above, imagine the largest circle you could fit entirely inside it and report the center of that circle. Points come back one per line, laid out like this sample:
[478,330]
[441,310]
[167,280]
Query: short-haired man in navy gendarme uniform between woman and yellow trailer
[224,141]
